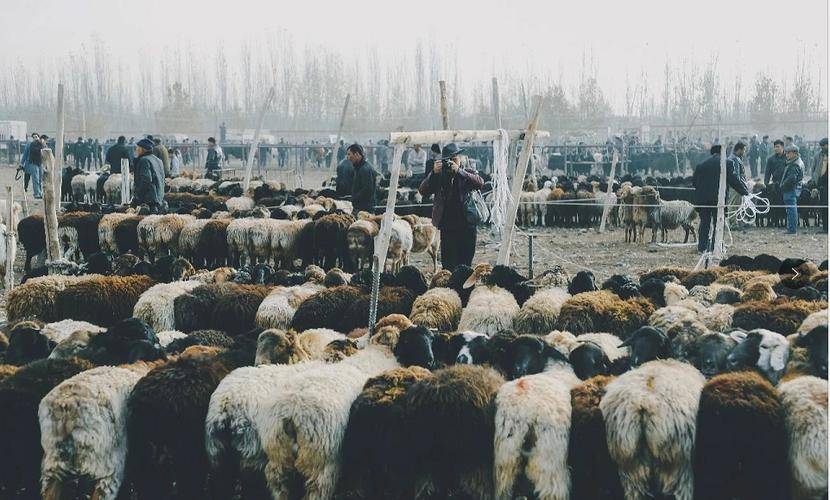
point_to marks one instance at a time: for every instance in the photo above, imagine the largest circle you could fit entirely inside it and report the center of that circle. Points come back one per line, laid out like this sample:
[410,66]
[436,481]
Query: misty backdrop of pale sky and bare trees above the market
[186,66]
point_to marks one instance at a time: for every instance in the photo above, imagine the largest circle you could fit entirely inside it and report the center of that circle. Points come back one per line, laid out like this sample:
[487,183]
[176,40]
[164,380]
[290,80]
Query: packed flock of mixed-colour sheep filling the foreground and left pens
[219,351]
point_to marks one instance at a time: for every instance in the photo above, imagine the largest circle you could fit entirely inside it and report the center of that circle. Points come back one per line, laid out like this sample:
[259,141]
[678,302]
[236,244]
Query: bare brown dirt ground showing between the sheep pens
[573,249]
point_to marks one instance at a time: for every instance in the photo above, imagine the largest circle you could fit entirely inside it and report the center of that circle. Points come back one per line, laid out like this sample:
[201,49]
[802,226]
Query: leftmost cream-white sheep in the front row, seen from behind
[83,429]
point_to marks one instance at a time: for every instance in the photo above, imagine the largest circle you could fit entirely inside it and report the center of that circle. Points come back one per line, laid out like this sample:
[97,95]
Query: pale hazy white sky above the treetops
[623,36]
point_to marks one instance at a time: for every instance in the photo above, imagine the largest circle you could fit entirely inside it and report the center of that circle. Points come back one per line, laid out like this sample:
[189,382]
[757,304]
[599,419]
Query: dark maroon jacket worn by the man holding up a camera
[447,207]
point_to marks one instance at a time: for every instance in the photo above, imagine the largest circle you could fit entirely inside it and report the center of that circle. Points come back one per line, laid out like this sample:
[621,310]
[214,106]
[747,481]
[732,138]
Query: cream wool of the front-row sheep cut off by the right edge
[805,416]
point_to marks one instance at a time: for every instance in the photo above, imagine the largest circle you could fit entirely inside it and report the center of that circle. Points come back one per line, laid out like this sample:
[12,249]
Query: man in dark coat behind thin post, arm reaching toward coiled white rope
[706,181]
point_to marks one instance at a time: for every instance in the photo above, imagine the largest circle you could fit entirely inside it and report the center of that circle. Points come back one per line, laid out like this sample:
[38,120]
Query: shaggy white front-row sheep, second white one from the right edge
[650,420]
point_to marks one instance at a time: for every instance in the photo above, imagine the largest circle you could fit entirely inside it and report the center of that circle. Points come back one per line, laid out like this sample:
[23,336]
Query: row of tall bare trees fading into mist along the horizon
[191,89]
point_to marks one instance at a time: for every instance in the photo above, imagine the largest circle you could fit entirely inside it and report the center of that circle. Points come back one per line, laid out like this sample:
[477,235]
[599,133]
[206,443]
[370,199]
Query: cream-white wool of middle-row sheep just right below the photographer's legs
[489,310]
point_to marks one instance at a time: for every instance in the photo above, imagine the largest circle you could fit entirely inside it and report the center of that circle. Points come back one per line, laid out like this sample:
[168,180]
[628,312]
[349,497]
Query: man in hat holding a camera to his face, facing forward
[450,184]
